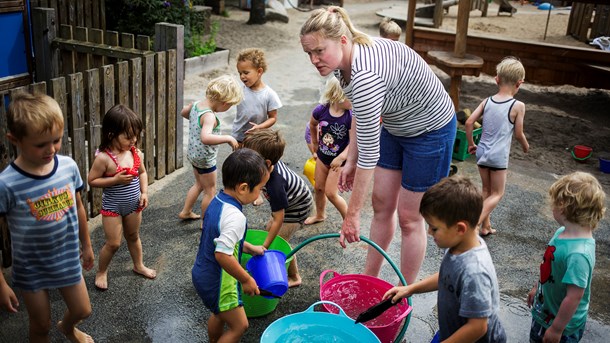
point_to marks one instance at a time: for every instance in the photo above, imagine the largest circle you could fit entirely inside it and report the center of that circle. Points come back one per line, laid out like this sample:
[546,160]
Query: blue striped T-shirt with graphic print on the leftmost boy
[42,218]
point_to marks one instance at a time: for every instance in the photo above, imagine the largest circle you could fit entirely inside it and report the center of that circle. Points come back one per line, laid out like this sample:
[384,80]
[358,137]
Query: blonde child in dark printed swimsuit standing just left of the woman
[330,122]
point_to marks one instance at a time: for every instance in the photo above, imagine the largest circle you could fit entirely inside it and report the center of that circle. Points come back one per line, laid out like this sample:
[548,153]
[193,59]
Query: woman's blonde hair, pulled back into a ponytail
[332,23]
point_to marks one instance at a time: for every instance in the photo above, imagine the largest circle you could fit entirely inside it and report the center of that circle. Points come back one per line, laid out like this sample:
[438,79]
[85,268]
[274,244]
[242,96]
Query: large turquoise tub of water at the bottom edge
[311,326]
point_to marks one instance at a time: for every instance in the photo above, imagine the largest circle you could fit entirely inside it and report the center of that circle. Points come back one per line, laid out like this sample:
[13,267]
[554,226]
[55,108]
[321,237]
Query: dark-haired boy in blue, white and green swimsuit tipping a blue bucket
[217,275]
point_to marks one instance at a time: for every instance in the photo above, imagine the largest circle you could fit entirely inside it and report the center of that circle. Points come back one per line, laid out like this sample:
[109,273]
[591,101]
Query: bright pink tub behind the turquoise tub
[355,293]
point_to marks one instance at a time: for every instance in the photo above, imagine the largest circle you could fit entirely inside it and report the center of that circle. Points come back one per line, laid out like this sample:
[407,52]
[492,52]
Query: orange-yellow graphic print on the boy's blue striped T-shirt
[53,205]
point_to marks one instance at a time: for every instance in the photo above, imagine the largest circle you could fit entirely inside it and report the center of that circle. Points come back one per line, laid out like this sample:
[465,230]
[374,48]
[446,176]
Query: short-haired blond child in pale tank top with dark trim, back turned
[502,115]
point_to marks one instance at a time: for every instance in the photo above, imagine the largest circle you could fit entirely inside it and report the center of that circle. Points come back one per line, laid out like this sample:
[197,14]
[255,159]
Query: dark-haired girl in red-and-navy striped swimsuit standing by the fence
[119,169]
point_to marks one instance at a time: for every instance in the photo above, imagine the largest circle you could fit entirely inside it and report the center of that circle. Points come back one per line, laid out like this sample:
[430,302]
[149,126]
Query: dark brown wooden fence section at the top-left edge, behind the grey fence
[86,13]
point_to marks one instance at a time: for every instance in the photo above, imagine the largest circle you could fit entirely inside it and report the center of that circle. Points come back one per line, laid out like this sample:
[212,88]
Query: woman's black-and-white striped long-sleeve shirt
[391,81]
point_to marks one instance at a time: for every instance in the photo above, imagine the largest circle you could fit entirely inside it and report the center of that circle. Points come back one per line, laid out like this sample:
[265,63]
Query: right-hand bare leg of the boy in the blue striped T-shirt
[79,308]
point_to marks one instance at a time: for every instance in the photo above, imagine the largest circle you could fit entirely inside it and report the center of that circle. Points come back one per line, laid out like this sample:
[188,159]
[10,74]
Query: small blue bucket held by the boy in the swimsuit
[269,271]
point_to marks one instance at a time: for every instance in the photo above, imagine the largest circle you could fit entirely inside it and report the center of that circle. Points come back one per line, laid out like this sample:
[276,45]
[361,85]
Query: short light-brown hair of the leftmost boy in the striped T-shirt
[33,114]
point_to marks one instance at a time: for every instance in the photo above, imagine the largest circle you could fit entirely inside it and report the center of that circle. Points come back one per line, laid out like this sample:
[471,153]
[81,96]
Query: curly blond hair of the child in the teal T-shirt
[580,198]
